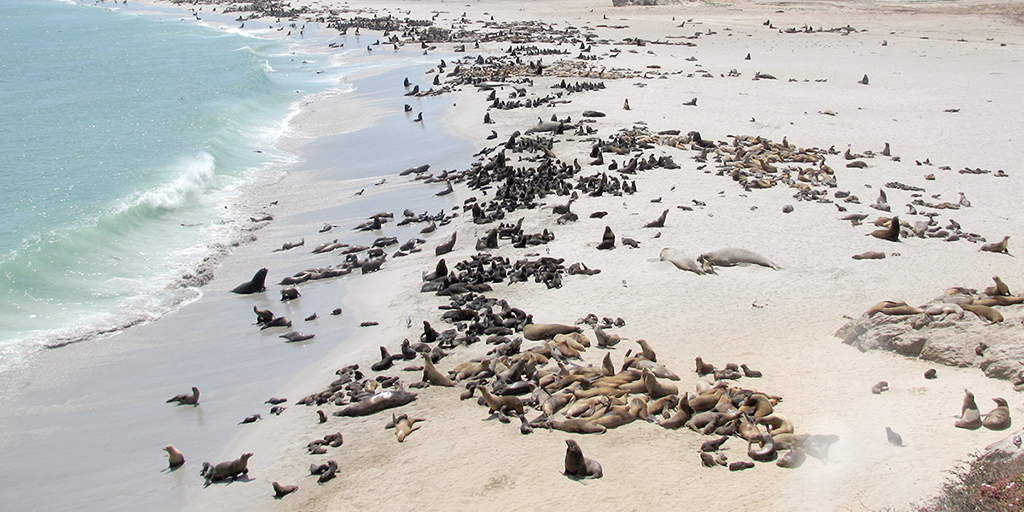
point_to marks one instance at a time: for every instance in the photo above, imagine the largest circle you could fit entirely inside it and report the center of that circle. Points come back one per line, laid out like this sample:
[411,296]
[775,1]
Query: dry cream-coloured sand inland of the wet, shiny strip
[778,322]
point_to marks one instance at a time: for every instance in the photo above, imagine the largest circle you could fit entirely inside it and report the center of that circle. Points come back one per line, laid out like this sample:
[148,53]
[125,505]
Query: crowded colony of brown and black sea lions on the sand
[552,376]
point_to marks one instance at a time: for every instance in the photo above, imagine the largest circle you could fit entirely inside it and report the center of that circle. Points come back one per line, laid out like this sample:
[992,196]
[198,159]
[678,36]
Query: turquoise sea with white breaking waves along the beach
[123,137]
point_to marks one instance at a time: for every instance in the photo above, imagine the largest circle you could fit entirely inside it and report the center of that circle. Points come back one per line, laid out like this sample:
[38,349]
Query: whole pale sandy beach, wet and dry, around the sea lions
[942,93]
